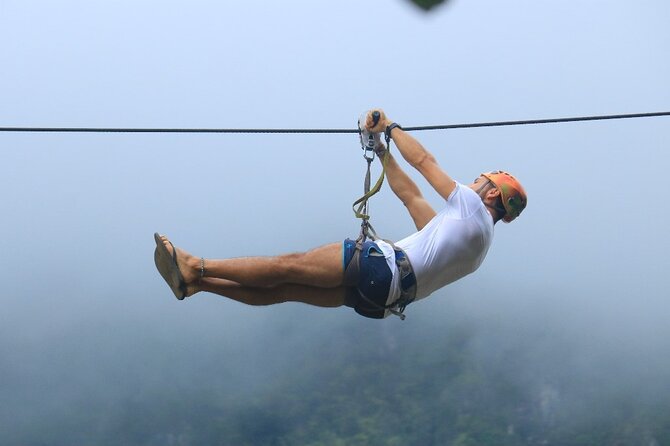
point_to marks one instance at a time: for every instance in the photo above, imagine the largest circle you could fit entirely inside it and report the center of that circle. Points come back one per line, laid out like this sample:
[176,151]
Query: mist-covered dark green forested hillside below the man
[373,384]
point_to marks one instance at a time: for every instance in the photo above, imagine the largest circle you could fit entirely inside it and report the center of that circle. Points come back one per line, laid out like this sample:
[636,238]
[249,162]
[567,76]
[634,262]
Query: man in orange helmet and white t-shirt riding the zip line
[381,278]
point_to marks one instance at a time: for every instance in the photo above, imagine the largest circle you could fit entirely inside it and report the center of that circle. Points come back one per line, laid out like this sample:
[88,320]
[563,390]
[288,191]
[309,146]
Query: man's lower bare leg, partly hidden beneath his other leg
[322,297]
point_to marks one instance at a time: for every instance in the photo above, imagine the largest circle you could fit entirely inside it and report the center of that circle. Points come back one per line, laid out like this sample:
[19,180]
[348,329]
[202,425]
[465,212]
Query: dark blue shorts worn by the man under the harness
[368,296]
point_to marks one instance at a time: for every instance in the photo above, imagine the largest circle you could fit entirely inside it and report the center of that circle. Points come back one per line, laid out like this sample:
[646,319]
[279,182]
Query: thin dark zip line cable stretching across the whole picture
[279,130]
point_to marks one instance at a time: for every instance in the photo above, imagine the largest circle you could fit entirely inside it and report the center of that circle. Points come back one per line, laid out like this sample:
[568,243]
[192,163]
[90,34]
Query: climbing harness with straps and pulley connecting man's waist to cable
[370,143]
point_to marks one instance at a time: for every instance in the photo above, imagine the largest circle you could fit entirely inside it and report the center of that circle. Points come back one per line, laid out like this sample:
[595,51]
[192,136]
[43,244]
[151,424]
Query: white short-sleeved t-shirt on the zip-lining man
[452,245]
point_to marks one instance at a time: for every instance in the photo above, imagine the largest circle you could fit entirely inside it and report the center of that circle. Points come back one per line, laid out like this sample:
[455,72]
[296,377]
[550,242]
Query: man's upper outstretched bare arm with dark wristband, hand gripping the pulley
[417,156]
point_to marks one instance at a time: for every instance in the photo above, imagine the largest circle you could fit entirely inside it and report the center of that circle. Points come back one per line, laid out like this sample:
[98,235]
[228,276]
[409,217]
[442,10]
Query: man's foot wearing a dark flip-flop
[178,268]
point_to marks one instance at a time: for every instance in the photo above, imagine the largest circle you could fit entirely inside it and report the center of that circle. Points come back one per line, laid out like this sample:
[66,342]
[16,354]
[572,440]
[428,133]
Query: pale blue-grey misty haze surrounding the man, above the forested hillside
[572,295]
